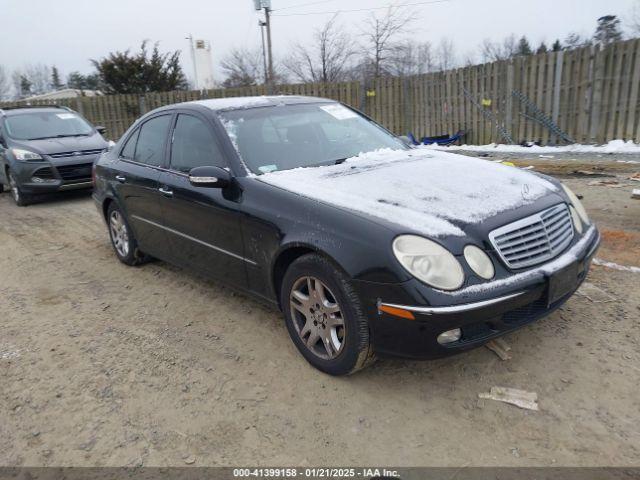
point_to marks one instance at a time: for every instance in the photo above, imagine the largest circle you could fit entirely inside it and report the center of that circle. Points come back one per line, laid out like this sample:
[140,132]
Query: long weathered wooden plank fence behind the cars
[591,94]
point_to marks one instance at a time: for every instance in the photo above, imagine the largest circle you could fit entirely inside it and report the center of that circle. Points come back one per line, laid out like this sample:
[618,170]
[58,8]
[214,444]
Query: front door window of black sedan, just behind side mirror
[194,145]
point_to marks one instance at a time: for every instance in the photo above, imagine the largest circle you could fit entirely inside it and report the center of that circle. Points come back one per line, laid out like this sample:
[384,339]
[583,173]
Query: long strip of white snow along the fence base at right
[614,146]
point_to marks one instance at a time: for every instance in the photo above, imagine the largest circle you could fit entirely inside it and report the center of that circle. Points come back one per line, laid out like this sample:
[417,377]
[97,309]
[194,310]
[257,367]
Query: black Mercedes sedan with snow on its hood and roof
[367,245]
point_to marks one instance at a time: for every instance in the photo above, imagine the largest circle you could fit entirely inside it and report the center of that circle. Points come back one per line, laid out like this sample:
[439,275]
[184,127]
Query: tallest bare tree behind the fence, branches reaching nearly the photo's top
[380,37]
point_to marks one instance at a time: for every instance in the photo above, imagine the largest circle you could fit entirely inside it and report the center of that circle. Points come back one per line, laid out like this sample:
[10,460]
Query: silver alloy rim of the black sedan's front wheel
[317,317]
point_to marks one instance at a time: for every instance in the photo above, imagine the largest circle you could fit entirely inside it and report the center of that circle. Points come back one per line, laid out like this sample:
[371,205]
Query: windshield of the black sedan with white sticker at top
[285,137]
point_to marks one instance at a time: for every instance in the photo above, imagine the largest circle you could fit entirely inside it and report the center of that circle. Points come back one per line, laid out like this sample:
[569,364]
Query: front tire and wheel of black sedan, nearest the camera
[326,306]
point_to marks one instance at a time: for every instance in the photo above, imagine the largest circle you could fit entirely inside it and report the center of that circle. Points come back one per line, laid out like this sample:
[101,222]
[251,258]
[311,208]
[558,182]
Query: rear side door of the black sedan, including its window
[136,183]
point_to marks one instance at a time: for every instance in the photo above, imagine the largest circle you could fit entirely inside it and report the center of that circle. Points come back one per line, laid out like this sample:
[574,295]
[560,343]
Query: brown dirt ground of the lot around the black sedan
[105,365]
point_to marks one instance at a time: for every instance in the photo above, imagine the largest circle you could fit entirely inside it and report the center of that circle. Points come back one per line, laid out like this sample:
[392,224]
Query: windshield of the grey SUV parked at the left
[40,125]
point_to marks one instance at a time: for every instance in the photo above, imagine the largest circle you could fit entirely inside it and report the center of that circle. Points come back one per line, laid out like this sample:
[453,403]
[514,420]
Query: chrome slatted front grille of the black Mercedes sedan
[535,239]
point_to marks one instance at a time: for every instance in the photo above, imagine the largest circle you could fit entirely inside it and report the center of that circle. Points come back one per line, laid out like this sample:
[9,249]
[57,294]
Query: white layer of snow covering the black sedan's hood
[424,191]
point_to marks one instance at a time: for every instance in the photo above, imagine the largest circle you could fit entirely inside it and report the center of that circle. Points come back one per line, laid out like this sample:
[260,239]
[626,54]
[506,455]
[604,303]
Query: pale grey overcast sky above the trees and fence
[67,33]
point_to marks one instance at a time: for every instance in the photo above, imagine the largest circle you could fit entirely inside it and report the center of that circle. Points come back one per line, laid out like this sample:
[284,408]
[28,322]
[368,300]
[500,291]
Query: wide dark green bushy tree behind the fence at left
[124,72]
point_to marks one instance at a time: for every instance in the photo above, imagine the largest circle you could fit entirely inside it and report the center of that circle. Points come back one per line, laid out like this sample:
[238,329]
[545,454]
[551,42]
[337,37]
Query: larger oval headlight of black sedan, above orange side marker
[428,262]
